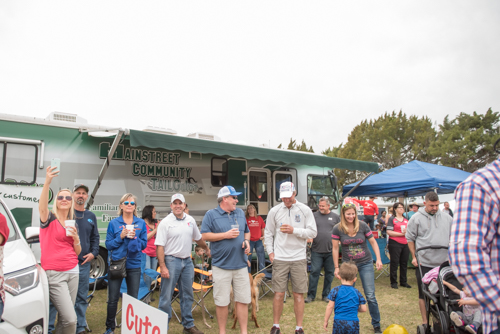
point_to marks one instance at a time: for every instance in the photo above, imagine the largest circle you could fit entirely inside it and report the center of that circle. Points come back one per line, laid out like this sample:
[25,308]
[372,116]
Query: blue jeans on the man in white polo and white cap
[181,273]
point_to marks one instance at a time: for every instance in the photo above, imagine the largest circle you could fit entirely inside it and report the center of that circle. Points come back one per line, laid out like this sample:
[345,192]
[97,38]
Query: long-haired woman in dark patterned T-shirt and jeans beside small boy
[353,235]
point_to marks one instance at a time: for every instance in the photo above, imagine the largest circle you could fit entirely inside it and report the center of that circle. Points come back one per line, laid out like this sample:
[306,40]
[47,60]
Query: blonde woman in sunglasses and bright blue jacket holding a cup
[126,237]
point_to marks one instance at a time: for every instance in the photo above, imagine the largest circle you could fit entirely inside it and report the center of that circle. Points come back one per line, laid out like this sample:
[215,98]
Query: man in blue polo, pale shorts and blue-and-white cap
[226,229]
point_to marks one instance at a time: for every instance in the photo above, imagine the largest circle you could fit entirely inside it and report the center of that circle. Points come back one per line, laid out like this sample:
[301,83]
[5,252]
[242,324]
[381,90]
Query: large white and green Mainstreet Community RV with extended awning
[152,164]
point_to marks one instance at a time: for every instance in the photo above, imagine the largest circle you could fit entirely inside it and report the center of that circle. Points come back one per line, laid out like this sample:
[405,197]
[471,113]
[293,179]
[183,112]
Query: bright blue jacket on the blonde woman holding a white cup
[131,248]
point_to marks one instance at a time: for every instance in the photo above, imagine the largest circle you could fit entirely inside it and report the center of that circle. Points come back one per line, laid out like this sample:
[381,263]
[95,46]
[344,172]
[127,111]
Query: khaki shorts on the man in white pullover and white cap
[298,274]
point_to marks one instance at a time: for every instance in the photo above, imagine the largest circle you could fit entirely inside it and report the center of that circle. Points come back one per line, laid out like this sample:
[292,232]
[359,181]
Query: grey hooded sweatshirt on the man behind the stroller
[424,230]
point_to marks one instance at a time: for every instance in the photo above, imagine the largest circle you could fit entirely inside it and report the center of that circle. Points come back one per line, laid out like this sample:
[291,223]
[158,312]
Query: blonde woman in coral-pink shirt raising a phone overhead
[60,246]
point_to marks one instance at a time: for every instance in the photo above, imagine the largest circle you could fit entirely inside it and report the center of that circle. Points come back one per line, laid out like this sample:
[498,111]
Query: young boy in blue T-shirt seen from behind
[347,301]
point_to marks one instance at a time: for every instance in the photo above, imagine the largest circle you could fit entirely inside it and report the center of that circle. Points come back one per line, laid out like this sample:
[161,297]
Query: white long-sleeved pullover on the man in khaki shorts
[289,247]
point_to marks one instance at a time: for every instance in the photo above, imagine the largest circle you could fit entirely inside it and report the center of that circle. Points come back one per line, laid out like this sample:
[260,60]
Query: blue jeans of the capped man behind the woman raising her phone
[80,303]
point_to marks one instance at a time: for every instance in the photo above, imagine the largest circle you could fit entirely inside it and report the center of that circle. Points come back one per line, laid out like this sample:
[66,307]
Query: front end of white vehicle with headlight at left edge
[26,286]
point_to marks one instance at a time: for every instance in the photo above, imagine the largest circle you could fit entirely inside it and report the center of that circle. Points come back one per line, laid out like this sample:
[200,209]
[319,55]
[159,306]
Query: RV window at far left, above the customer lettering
[19,166]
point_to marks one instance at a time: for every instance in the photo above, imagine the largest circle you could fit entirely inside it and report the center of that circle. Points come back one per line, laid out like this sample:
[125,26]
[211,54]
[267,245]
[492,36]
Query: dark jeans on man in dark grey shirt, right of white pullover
[318,261]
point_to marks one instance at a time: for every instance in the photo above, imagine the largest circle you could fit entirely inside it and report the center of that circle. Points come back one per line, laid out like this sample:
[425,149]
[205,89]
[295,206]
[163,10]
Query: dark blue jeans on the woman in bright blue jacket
[133,280]
